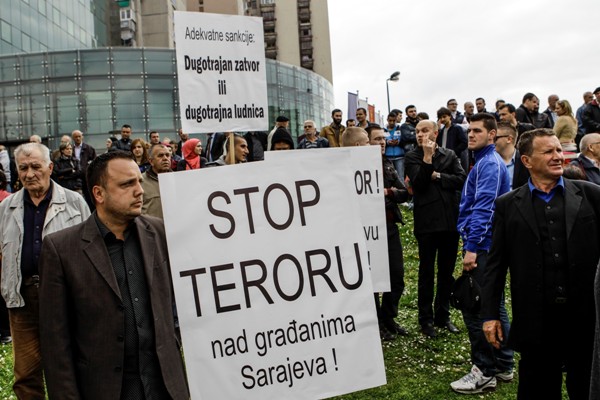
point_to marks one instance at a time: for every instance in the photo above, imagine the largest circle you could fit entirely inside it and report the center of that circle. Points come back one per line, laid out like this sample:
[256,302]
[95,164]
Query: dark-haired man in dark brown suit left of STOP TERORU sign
[106,304]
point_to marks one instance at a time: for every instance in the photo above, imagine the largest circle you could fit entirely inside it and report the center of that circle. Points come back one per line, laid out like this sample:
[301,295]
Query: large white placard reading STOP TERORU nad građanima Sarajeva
[271,280]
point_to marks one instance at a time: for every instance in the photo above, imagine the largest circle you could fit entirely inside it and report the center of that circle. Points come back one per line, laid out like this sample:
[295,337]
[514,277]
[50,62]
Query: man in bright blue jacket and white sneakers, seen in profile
[487,181]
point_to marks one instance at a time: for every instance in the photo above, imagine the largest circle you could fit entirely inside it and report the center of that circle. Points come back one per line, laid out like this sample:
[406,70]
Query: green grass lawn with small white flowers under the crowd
[417,368]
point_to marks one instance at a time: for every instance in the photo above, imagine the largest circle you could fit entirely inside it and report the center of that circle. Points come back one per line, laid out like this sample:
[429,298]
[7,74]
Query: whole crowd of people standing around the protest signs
[516,186]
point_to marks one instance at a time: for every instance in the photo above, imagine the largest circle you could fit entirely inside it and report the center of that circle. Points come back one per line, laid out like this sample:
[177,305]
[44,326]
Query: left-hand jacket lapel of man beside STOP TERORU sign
[95,250]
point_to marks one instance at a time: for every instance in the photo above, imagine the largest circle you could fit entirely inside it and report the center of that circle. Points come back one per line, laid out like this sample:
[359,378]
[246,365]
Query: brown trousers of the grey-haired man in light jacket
[24,326]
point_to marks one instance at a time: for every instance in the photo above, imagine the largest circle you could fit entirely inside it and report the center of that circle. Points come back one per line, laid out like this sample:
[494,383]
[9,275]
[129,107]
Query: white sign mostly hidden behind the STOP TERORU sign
[365,176]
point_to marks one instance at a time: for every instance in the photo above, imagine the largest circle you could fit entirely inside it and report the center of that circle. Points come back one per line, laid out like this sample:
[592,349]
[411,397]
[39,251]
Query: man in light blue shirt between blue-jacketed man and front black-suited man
[505,141]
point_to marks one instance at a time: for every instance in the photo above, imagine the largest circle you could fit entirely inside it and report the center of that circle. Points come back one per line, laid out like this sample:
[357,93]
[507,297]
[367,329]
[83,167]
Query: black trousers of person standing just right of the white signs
[388,310]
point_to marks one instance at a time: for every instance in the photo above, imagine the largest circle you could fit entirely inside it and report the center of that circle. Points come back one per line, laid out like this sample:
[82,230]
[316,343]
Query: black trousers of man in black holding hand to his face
[445,246]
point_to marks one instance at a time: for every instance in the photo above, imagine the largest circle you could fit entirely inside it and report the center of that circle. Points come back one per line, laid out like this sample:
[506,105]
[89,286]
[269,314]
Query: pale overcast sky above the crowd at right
[464,49]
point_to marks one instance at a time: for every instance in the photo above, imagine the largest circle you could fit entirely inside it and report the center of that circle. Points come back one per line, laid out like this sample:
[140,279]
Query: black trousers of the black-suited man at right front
[561,343]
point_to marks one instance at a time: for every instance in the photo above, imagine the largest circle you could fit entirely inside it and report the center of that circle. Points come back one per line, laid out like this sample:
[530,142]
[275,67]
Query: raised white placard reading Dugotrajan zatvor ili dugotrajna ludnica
[221,72]
